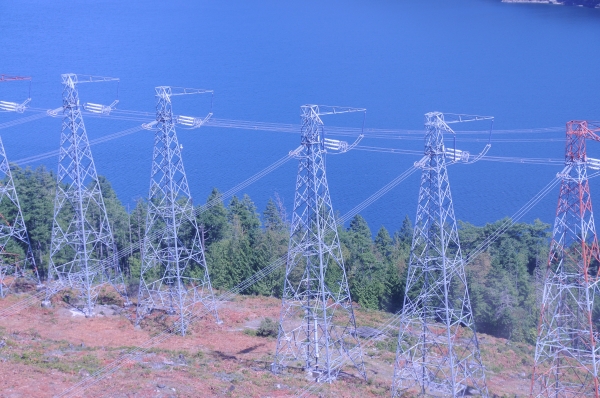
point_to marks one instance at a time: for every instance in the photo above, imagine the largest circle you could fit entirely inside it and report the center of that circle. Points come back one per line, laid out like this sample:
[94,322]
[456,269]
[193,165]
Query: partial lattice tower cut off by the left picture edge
[12,228]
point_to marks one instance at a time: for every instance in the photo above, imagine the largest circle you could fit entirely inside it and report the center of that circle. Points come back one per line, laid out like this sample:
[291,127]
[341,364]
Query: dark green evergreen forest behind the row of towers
[504,281]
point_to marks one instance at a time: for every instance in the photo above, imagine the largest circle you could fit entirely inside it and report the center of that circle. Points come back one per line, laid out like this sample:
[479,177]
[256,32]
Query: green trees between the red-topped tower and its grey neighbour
[501,280]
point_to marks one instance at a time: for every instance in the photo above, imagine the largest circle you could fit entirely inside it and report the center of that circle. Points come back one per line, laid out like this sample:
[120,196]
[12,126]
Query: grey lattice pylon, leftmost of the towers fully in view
[83,254]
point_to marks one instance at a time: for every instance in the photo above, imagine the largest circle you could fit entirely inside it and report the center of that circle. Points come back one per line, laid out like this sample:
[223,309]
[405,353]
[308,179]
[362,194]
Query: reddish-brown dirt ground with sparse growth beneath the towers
[44,352]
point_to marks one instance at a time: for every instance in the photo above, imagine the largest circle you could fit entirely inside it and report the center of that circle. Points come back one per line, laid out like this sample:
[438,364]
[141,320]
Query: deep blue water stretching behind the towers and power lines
[528,65]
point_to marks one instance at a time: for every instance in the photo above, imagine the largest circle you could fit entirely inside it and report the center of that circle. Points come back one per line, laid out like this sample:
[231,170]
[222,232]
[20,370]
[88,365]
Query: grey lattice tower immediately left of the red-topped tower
[437,309]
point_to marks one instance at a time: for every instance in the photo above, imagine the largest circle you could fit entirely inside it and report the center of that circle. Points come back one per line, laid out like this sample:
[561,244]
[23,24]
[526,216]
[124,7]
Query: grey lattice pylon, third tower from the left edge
[174,275]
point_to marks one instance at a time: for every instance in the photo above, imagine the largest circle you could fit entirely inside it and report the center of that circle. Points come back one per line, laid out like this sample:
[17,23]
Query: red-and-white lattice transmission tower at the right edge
[567,358]
